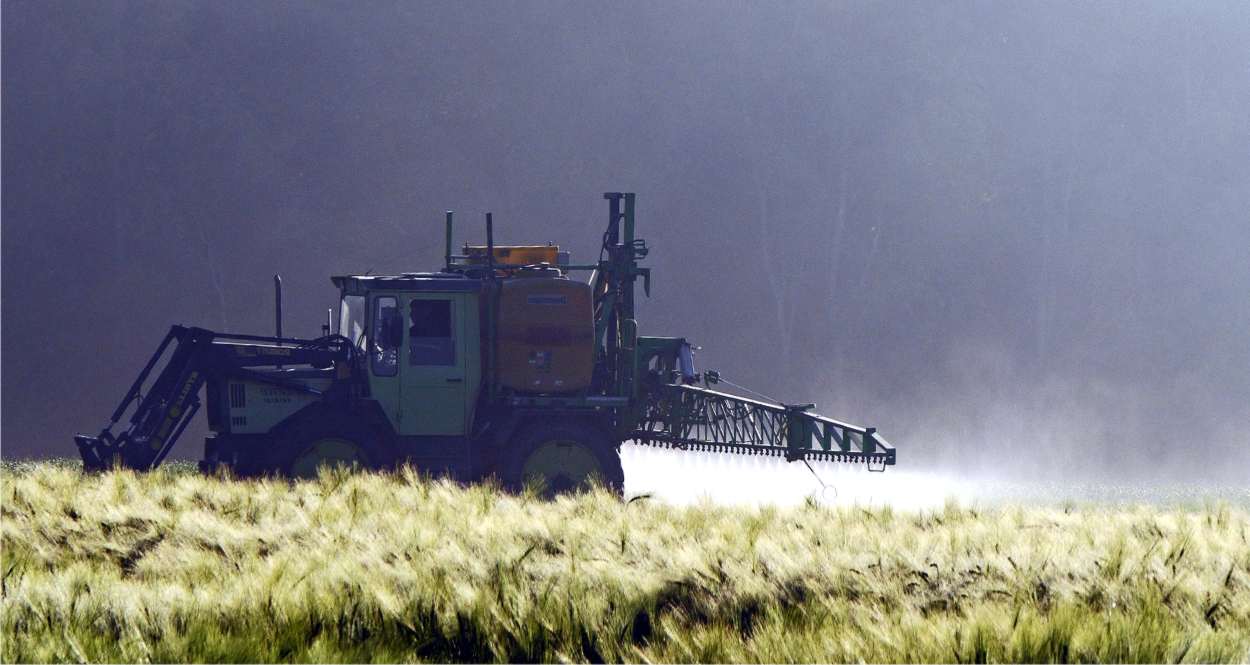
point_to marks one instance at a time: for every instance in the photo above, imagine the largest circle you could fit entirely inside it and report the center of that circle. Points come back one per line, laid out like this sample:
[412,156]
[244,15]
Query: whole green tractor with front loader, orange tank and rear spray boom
[499,364]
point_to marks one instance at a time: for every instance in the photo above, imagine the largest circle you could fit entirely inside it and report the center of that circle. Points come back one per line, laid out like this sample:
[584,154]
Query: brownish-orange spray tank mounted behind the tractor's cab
[547,334]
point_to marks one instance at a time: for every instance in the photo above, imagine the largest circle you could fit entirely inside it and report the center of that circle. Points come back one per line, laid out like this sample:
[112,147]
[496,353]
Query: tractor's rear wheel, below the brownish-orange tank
[563,458]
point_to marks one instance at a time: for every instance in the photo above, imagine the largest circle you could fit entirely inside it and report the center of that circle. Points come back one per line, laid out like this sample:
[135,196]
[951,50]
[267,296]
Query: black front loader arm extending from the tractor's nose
[193,356]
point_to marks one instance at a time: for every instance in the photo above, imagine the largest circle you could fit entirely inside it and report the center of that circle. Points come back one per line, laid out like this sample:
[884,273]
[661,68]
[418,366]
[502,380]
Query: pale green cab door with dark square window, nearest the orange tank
[433,366]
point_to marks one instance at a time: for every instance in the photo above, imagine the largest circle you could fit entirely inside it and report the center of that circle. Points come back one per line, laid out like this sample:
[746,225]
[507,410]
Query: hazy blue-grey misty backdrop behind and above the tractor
[1012,236]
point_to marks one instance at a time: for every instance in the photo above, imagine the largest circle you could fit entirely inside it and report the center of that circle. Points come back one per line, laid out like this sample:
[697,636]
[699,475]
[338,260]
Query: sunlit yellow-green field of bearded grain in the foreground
[173,567]
